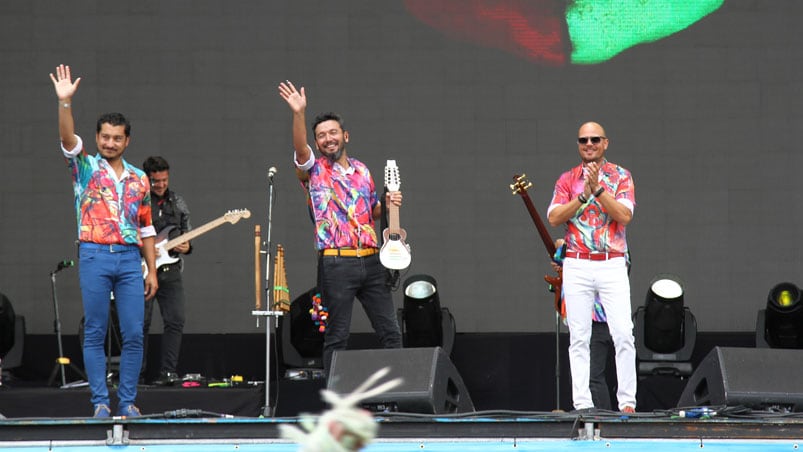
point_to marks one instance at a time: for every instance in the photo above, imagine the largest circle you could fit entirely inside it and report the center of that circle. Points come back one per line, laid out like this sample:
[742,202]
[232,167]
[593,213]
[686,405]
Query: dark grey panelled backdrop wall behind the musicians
[707,120]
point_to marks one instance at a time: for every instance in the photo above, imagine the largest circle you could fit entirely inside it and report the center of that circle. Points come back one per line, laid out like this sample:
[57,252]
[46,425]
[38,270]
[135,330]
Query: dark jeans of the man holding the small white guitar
[341,279]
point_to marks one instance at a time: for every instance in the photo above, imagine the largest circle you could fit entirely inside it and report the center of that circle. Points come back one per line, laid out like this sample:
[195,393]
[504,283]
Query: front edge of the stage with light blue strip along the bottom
[499,431]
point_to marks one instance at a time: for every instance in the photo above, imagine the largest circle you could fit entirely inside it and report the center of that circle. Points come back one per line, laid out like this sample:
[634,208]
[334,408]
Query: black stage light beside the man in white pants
[665,330]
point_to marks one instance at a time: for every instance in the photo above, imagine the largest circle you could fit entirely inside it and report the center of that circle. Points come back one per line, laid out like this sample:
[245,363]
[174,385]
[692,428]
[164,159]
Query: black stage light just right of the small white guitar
[423,321]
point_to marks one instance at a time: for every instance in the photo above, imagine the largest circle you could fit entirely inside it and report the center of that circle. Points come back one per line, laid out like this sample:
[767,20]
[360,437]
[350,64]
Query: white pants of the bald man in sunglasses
[582,279]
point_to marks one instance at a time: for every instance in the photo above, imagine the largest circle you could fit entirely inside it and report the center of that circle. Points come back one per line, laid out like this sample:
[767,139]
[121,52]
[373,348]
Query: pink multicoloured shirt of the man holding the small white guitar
[341,204]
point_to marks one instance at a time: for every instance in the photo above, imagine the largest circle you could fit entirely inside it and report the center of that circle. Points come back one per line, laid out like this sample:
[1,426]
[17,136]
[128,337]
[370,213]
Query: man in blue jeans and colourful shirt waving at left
[112,203]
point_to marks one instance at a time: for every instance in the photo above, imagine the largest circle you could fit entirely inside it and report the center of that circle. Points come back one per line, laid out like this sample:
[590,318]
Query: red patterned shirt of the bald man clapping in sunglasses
[592,229]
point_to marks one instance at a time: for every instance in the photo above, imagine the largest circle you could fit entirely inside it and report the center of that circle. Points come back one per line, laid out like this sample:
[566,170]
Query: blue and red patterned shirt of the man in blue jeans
[109,211]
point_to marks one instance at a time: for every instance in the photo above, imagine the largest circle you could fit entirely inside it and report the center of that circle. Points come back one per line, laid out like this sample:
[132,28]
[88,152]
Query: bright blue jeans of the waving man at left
[103,270]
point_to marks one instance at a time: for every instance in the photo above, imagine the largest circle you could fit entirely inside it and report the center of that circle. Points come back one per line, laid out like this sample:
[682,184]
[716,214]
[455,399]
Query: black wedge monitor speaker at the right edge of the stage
[758,378]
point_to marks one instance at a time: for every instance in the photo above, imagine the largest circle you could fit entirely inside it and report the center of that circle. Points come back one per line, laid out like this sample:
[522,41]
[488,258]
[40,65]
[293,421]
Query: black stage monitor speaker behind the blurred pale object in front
[431,384]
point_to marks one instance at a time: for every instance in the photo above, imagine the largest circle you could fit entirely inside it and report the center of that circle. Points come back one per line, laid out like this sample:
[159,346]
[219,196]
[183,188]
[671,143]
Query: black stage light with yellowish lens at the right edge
[780,325]
